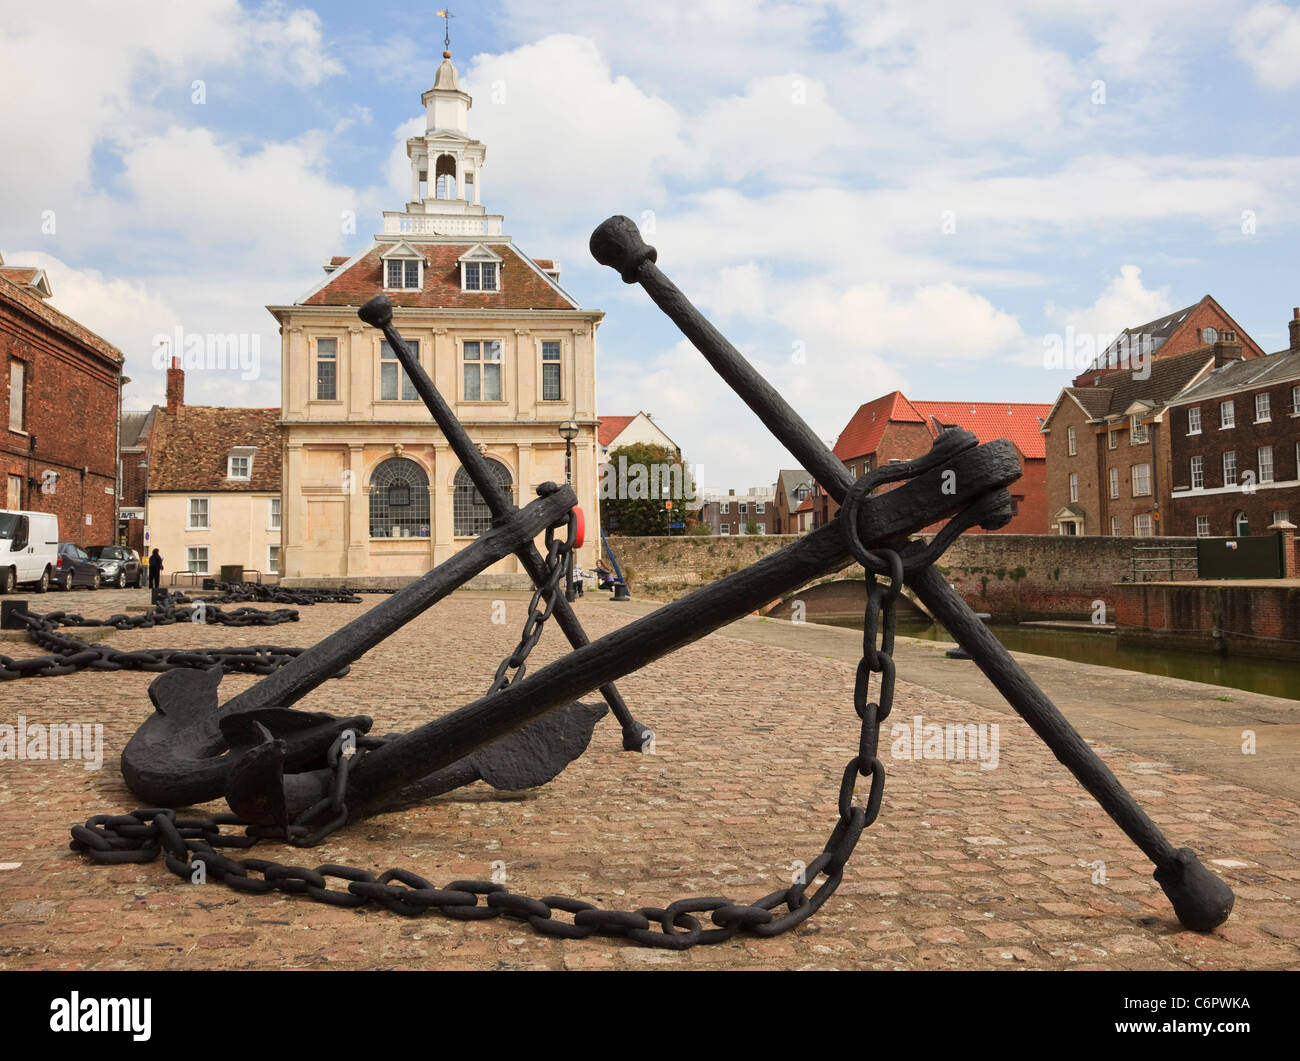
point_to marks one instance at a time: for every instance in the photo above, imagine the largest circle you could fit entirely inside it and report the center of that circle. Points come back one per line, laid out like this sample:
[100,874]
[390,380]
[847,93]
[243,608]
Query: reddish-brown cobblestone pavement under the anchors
[965,869]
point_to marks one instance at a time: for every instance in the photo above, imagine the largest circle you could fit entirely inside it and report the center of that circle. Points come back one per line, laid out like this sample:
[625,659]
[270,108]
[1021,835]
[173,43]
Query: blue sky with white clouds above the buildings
[863,197]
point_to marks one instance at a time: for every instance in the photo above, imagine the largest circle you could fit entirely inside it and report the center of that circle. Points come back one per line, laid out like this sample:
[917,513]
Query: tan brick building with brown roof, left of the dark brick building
[1110,466]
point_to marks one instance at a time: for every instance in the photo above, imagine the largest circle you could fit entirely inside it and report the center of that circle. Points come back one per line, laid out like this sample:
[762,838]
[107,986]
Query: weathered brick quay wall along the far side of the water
[1012,577]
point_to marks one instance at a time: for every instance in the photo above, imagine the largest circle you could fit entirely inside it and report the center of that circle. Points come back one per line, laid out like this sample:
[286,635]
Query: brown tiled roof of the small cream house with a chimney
[190,449]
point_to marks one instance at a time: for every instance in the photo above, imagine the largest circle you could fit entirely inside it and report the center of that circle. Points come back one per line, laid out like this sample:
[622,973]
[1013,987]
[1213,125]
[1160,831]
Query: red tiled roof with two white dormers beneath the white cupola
[522,287]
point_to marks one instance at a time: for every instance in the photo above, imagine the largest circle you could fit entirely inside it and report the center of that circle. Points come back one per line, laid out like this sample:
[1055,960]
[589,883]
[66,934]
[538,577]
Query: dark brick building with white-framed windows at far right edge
[1236,447]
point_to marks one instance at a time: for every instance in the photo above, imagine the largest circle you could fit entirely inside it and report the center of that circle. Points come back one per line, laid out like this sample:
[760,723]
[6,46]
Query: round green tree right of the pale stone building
[635,484]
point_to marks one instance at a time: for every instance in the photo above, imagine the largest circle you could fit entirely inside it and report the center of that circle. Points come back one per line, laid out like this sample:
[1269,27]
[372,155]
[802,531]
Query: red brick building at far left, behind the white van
[62,387]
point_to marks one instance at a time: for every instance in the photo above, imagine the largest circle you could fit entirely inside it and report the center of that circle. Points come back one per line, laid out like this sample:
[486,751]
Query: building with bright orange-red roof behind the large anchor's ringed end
[894,428]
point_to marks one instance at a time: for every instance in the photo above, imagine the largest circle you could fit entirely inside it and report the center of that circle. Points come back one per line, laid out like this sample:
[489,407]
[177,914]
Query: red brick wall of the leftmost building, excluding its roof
[72,413]
